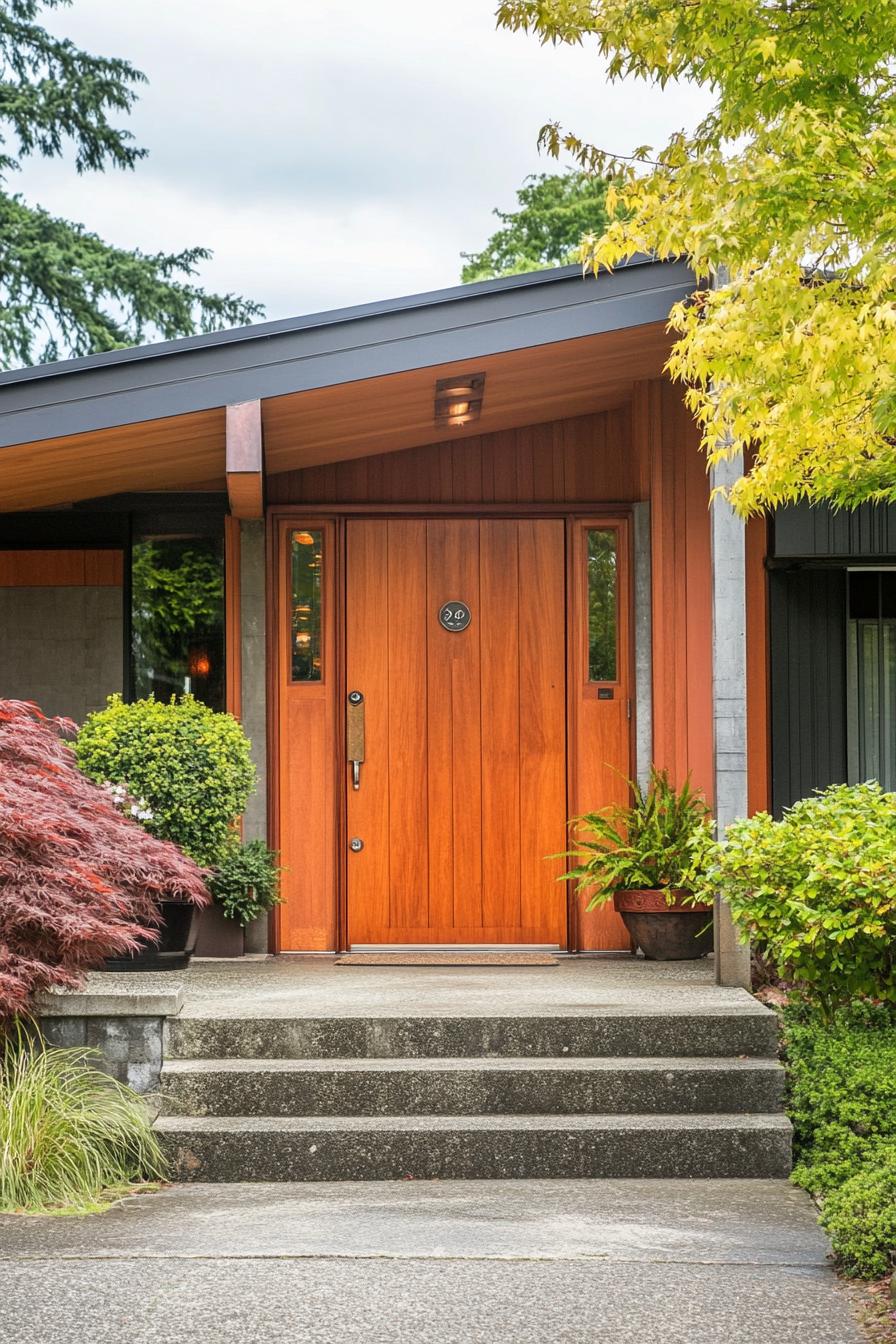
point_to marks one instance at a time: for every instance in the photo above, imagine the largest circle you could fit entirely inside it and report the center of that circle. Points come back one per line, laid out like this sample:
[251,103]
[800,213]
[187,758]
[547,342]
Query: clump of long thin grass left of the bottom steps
[71,1136]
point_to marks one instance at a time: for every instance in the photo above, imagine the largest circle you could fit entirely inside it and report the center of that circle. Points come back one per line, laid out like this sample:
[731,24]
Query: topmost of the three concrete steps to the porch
[714,1033]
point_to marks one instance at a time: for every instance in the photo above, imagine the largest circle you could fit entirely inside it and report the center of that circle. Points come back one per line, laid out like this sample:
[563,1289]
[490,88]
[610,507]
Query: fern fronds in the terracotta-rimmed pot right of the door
[648,846]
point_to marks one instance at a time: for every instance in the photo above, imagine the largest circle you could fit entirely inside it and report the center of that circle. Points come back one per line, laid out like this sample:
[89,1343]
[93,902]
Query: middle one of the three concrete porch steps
[508,1087]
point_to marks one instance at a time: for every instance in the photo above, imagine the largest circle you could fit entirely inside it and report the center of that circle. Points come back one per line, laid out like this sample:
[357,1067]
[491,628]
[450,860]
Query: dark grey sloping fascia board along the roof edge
[273,360]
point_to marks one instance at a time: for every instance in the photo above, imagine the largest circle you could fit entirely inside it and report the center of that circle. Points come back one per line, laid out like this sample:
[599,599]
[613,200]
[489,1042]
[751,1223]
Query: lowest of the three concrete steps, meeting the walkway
[251,1148]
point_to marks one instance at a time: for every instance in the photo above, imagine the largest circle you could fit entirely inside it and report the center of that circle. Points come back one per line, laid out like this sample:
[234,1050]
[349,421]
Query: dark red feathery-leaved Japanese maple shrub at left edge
[79,880]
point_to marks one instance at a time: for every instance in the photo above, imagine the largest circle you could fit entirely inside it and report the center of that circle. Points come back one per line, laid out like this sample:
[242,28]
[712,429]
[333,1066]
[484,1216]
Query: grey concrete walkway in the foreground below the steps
[543,1263]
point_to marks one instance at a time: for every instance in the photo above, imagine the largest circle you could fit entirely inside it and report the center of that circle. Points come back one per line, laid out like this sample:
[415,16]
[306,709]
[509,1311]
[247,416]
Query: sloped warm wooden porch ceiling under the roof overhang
[334,424]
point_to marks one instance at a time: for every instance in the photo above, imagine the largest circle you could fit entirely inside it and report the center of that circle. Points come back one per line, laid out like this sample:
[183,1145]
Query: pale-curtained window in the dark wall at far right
[871,678]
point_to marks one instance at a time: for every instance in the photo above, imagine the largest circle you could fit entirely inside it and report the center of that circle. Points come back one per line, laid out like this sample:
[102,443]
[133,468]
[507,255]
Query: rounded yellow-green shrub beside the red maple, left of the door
[191,765]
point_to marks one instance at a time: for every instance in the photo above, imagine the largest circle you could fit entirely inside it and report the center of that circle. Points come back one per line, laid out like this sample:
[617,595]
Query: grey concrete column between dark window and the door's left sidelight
[253,691]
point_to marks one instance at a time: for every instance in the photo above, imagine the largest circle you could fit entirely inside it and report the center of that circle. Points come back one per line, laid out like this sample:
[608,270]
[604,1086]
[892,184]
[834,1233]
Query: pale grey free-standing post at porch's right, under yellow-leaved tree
[729,698]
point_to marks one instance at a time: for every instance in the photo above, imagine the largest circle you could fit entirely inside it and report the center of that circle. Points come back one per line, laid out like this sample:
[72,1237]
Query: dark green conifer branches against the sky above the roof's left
[65,291]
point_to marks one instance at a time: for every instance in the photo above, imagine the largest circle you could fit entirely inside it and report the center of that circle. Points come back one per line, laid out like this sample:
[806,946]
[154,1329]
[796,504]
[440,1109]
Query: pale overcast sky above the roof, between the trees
[334,151]
